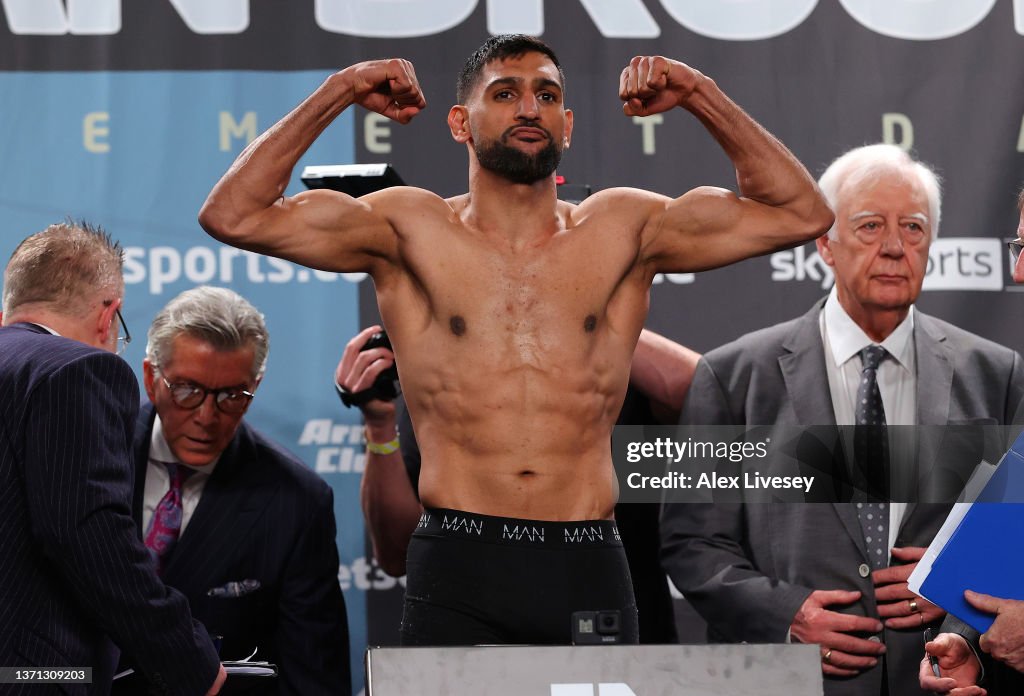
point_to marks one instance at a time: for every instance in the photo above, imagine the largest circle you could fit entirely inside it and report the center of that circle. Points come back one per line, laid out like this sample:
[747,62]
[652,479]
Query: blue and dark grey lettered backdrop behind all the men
[126,113]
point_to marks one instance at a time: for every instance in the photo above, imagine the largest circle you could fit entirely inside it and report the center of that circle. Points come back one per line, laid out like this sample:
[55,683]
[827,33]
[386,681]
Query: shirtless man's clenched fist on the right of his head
[652,84]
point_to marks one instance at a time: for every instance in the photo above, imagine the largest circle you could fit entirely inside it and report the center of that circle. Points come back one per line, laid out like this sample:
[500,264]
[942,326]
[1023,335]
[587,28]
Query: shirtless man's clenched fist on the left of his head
[389,88]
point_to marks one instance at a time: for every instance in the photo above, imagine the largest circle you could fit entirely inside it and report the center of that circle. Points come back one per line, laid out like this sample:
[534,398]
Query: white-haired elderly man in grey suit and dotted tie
[835,574]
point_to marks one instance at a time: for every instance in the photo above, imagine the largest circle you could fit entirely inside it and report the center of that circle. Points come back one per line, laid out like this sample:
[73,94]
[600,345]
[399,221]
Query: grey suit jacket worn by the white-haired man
[747,570]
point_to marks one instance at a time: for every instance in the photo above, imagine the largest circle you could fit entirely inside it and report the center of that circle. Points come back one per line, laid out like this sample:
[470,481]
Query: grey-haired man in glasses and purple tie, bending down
[234,521]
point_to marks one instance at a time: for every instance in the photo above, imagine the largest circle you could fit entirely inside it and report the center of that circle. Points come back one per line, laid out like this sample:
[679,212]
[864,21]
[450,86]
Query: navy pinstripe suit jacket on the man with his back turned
[72,569]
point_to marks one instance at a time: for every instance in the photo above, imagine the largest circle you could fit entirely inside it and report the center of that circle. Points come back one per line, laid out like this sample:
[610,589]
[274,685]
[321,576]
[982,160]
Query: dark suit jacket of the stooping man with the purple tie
[264,516]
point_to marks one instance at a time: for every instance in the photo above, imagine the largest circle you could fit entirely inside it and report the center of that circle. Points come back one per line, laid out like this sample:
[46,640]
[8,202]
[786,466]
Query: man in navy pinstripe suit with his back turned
[75,576]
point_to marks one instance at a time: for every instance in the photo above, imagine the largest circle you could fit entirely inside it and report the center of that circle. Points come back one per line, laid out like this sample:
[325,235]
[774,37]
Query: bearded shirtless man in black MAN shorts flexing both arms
[515,316]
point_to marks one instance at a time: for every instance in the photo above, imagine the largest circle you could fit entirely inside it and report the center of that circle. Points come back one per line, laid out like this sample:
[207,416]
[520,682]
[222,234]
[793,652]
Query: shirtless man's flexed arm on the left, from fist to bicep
[323,230]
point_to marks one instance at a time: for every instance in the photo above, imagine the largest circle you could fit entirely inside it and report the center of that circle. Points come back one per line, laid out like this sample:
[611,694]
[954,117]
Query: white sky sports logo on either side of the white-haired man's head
[954,264]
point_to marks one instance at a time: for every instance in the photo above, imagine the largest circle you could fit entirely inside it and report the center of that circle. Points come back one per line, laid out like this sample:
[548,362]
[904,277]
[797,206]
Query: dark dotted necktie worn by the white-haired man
[872,453]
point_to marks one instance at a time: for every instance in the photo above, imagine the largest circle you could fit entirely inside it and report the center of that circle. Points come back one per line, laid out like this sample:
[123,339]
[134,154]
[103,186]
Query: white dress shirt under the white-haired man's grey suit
[898,379]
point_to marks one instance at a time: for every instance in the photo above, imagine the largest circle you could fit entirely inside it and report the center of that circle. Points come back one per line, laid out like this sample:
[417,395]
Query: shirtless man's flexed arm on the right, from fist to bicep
[778,206]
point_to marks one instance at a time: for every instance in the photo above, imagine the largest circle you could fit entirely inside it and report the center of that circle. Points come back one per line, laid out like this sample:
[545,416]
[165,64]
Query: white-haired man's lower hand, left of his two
[842,654]
